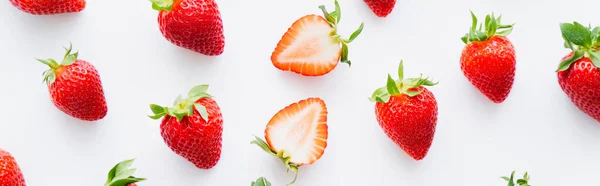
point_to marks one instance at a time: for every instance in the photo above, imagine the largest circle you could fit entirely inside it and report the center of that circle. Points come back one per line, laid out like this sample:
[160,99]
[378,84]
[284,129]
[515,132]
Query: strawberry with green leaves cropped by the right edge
[578,73]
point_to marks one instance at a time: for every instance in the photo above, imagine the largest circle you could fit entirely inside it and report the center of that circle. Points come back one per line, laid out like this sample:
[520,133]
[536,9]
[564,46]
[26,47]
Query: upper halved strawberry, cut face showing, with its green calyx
[311,46]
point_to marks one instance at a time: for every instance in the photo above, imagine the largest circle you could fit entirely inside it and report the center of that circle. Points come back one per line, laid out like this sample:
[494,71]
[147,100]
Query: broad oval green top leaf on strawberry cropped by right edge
[577,34]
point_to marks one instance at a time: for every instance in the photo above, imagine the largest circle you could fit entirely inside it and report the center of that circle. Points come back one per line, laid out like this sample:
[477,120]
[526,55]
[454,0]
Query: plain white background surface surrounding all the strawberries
[537,129]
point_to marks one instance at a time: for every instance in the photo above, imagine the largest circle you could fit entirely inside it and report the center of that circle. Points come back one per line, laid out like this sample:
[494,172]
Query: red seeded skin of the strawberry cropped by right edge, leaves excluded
[580,83]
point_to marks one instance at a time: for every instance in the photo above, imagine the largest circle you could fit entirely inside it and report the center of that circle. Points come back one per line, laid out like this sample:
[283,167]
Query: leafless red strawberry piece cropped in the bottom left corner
[10,173]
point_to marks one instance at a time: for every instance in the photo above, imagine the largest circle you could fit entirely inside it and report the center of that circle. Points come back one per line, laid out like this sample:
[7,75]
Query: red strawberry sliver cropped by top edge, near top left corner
[49,7]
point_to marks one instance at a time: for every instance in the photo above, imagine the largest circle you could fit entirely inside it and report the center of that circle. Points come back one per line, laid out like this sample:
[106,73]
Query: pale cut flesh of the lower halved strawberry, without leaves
[296,134]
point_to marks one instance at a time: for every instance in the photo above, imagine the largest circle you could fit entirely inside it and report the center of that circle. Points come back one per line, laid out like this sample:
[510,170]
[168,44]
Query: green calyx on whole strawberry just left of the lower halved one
[184,107]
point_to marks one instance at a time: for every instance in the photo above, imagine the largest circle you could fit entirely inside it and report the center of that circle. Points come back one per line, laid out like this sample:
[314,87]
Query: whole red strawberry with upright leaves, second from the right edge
[488,59]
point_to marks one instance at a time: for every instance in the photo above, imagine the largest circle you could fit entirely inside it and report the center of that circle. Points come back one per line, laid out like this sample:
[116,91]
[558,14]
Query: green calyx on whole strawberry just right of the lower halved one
[401,86]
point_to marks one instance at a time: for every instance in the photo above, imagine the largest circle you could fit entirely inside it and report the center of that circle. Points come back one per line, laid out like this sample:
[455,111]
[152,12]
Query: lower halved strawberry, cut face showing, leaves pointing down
[297,134]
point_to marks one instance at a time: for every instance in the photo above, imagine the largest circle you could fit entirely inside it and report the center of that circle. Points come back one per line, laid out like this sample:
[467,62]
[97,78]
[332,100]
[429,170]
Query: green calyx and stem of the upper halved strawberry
[334,18]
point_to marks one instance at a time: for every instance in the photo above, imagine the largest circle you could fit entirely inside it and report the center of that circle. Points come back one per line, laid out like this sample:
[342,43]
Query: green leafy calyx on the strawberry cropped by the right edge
[583,41]
